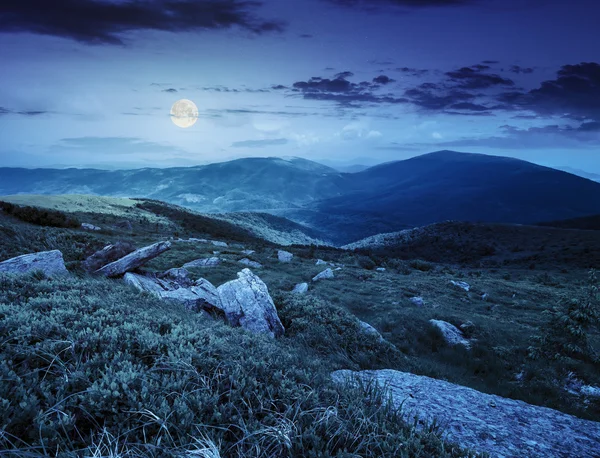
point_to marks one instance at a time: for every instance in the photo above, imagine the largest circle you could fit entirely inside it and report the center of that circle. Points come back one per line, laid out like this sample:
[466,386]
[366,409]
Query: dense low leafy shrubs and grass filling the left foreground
[90,367]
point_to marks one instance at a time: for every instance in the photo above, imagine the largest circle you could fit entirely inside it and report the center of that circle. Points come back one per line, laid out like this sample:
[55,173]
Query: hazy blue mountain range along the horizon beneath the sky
[342,207]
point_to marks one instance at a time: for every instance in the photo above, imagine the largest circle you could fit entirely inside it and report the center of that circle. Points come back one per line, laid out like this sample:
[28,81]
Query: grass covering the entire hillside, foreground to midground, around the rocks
[65,342]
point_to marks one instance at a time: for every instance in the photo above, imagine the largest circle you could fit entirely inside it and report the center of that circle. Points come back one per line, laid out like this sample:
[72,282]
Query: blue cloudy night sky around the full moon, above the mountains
[91,83]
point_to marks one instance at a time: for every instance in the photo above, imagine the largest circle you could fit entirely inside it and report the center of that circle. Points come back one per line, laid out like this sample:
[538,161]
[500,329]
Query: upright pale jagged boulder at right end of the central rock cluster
[246,302]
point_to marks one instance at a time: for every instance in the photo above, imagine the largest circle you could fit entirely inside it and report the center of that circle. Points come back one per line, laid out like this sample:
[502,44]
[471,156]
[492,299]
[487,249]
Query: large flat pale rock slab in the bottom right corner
[484,422]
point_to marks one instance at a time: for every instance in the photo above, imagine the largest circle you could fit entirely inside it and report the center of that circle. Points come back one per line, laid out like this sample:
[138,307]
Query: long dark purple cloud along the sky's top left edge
[103,22]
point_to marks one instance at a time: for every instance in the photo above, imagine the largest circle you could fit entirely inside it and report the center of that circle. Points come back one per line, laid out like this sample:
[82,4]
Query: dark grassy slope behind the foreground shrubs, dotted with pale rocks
[320,323]
